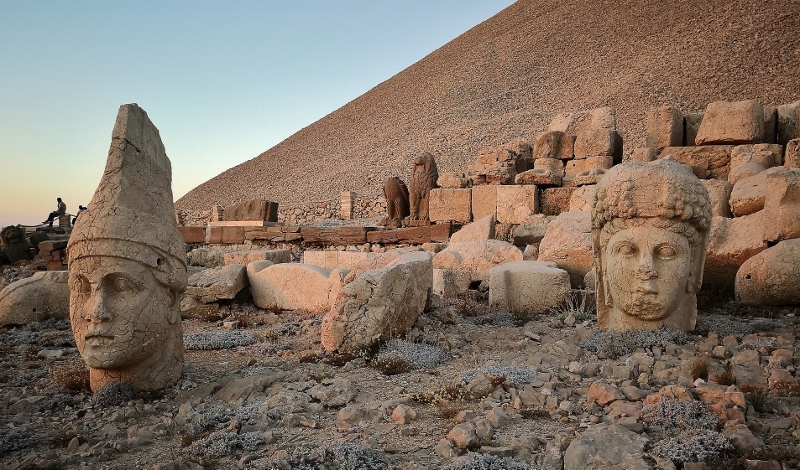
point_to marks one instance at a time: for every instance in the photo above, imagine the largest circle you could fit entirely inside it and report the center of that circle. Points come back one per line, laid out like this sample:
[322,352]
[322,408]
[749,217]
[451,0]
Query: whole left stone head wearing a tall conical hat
[127,264]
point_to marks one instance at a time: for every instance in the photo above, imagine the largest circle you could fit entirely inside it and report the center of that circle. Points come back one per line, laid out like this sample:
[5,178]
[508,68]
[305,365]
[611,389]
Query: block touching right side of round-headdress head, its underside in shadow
[731,243]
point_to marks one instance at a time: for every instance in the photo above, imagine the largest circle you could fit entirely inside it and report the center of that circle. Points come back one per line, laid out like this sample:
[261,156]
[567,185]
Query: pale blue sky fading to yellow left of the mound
[222,81]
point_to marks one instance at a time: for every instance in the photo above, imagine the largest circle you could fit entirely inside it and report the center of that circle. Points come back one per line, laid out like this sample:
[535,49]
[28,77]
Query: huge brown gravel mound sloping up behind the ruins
[507,77]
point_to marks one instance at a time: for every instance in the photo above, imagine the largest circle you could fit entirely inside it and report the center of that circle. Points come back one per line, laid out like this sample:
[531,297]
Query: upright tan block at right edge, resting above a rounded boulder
[782,204]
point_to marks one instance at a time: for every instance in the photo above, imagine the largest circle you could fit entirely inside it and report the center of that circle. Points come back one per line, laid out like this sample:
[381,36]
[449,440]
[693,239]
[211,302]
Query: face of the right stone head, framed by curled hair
[647,271]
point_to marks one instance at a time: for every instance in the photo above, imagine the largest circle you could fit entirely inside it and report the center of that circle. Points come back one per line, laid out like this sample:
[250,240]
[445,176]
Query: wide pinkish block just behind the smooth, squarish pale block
[476,256]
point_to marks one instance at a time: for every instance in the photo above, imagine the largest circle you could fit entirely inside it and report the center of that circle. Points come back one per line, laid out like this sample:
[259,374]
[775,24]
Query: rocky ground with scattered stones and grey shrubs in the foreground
[500,390]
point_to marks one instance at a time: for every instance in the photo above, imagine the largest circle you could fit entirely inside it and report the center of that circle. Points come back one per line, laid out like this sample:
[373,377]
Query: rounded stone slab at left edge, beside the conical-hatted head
[37,298]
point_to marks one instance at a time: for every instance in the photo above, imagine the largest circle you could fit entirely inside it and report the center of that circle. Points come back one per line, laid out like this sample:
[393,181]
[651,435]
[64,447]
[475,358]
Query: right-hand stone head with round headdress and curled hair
[649,235]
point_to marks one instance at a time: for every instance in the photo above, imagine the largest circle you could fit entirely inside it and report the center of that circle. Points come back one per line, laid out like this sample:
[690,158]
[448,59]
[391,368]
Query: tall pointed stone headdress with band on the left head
[132,215]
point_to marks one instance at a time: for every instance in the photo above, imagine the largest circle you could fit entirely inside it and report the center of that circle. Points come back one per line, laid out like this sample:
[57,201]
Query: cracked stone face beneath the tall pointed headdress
[120,314]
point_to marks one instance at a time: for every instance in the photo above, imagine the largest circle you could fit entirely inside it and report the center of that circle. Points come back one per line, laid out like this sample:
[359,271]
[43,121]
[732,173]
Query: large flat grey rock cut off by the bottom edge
[607,447]
